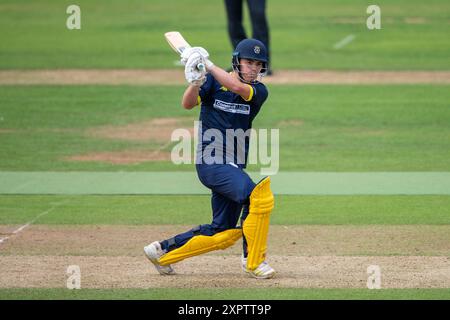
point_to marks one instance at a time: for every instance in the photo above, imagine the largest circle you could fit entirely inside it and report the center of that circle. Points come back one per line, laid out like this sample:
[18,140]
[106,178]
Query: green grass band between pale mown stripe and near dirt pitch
[289,210]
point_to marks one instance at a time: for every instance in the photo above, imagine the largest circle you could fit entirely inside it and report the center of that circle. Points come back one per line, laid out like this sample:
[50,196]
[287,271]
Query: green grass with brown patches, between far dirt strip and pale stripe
[332,128]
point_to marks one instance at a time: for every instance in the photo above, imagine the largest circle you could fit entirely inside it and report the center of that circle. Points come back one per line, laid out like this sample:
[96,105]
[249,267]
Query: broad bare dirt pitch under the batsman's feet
[304,257]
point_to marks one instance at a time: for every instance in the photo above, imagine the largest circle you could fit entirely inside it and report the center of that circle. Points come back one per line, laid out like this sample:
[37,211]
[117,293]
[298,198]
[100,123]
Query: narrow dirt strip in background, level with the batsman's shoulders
[176,76]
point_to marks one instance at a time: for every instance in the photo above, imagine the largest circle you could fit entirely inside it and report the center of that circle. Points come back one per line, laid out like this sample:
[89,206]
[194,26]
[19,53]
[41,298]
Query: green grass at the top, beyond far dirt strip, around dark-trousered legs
[118,34]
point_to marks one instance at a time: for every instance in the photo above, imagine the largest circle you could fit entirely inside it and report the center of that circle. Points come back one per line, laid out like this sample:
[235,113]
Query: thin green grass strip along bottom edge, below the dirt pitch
[227,294]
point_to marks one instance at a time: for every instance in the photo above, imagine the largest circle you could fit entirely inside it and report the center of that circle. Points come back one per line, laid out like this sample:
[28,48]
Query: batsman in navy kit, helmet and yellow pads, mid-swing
[228,101]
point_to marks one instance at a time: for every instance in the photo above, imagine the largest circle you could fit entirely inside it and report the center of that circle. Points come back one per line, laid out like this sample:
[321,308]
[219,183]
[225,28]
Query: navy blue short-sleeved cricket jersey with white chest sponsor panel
[224,112]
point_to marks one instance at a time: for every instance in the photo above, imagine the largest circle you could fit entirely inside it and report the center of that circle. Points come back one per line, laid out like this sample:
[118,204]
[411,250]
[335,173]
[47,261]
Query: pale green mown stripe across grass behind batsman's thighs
[179,183]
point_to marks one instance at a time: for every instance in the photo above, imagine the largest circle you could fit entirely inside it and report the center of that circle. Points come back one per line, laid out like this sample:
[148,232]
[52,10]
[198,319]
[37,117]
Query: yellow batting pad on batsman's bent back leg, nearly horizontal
[202,244]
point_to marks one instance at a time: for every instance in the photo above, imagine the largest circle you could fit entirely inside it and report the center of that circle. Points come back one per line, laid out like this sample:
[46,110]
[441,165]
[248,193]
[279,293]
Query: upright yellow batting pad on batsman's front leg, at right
[256,225]
